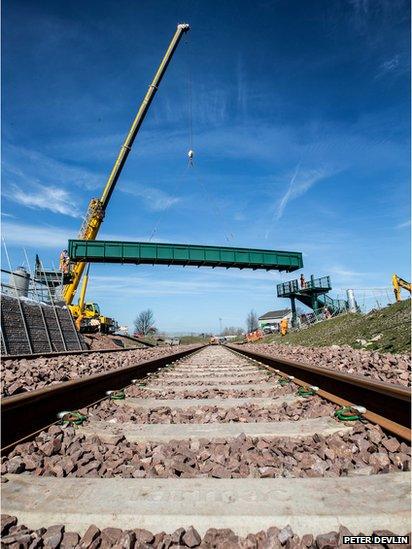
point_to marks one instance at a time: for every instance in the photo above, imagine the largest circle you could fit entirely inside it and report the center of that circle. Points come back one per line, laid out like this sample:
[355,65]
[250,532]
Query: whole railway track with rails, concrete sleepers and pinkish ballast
[212,450]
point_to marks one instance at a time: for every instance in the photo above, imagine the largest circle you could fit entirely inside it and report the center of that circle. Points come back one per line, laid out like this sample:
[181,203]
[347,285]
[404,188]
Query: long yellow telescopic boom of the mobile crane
[97,207]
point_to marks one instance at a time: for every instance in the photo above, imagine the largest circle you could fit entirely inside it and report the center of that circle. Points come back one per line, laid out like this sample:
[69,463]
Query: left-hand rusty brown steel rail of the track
[23,415]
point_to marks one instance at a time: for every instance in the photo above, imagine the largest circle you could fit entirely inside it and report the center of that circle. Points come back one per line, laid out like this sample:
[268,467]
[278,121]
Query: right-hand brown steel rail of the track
[387,404]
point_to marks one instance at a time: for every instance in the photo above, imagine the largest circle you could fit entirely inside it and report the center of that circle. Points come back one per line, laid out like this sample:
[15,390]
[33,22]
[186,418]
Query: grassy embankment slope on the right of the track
[392,325]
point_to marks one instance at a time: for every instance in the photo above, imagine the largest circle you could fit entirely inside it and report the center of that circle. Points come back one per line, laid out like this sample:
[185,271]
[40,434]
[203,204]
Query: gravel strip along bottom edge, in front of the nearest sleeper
[18,535]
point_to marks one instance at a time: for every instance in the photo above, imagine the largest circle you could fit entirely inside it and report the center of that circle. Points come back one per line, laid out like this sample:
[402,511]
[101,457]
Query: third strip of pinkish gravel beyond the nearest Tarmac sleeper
[136,391]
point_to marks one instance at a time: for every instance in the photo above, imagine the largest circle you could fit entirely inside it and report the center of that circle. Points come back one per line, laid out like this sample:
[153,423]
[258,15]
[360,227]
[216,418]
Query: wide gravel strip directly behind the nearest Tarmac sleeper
[64,452]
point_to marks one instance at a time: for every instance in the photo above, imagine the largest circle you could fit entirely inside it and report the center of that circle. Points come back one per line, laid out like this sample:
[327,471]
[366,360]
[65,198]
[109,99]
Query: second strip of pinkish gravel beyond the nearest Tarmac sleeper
[250,413]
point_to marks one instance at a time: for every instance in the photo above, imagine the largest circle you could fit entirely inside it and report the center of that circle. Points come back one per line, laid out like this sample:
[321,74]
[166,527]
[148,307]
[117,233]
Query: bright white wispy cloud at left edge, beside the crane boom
[44,197]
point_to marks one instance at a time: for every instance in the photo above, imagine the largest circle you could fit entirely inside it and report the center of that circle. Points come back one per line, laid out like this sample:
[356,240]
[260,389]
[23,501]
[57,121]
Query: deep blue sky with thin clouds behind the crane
[301,122]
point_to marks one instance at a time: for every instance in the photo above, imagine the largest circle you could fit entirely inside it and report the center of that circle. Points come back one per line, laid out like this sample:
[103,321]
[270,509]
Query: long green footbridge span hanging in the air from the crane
[151,253]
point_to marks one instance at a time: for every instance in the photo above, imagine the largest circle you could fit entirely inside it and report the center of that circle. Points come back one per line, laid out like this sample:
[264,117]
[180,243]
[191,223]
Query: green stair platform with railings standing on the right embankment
[313,294]
